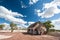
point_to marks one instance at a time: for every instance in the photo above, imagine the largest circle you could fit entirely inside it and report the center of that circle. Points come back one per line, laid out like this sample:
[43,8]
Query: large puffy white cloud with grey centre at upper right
[50,9]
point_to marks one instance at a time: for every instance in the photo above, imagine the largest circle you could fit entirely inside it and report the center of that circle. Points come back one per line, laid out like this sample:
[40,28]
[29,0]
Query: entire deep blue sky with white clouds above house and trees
[25,12]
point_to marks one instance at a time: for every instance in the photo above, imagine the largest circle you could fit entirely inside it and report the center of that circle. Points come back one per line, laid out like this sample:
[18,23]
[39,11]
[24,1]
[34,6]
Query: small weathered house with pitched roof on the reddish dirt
[37,28]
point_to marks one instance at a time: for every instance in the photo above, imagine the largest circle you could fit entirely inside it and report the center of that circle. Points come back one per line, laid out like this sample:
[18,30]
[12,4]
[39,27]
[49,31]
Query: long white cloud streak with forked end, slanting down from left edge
[10,16]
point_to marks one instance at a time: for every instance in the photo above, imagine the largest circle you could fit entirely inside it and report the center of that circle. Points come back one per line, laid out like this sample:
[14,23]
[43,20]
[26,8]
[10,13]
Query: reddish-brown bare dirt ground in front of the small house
[21,36]
